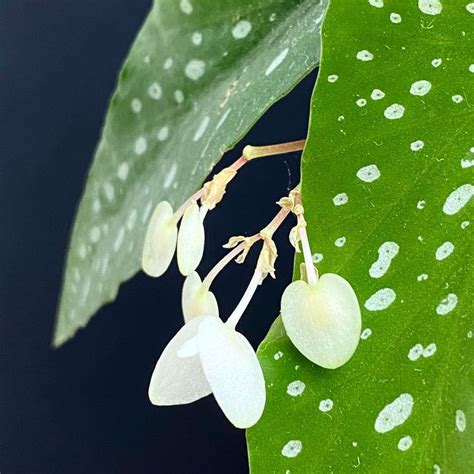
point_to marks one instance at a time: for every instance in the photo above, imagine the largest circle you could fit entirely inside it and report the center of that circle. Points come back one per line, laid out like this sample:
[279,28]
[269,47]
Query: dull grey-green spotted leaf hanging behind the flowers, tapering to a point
[196,79]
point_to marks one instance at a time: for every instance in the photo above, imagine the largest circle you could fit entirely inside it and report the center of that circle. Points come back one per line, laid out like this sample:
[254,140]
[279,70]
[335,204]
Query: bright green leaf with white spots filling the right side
[386,190]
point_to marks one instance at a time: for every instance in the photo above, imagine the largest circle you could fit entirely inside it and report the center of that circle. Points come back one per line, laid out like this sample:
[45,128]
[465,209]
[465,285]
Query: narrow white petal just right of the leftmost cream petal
[190,240]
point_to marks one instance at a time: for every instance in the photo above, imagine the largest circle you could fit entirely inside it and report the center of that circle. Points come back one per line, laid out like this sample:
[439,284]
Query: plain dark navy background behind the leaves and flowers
[84,408]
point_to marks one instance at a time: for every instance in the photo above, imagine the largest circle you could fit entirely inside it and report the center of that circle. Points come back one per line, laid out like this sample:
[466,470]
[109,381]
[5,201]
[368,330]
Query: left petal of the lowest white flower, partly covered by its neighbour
[178,378]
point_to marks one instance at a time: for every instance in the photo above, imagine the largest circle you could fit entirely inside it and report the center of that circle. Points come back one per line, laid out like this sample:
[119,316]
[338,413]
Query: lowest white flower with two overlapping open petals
[209,356]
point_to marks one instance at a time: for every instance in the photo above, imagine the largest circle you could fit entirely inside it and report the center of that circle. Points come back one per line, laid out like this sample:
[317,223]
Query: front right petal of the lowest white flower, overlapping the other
[233,372]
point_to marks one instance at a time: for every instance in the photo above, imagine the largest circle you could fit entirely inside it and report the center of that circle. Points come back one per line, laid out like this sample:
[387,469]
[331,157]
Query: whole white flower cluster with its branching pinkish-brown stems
[321,315]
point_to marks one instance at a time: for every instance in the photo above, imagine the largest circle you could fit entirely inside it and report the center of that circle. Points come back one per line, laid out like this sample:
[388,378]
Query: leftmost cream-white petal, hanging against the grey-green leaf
[160,240]
